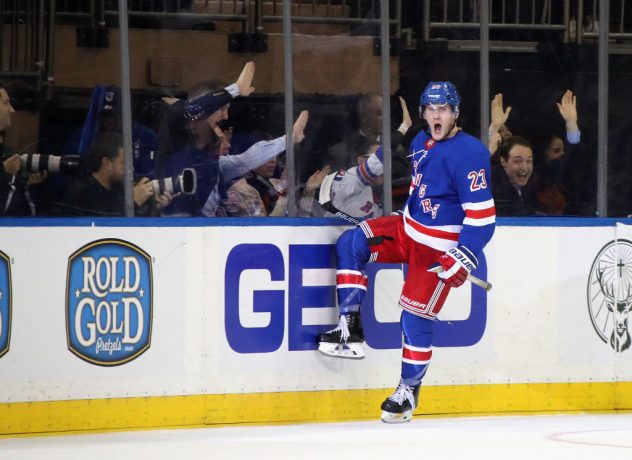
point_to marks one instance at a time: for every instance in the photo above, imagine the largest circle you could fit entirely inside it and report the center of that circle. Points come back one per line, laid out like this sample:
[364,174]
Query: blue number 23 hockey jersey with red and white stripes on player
[451,200]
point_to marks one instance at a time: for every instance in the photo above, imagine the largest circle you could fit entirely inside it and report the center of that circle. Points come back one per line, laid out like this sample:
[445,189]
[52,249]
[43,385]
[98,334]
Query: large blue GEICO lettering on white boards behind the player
[284,309]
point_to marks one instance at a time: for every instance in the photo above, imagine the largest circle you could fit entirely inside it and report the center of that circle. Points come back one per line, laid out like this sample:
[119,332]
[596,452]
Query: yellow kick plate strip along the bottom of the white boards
[54,417]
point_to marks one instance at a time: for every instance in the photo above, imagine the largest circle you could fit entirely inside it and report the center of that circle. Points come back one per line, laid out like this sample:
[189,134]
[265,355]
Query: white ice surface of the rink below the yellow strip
[534,437]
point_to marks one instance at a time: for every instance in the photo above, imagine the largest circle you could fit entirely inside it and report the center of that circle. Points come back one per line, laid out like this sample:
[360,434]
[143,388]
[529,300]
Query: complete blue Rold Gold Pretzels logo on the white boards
[109,302]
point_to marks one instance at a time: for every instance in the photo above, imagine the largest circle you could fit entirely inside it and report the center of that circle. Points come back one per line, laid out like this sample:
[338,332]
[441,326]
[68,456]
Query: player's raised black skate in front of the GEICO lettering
[345,340]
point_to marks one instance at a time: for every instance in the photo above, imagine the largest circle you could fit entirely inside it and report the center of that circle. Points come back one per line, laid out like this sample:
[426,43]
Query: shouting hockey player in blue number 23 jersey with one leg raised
[448,219]
